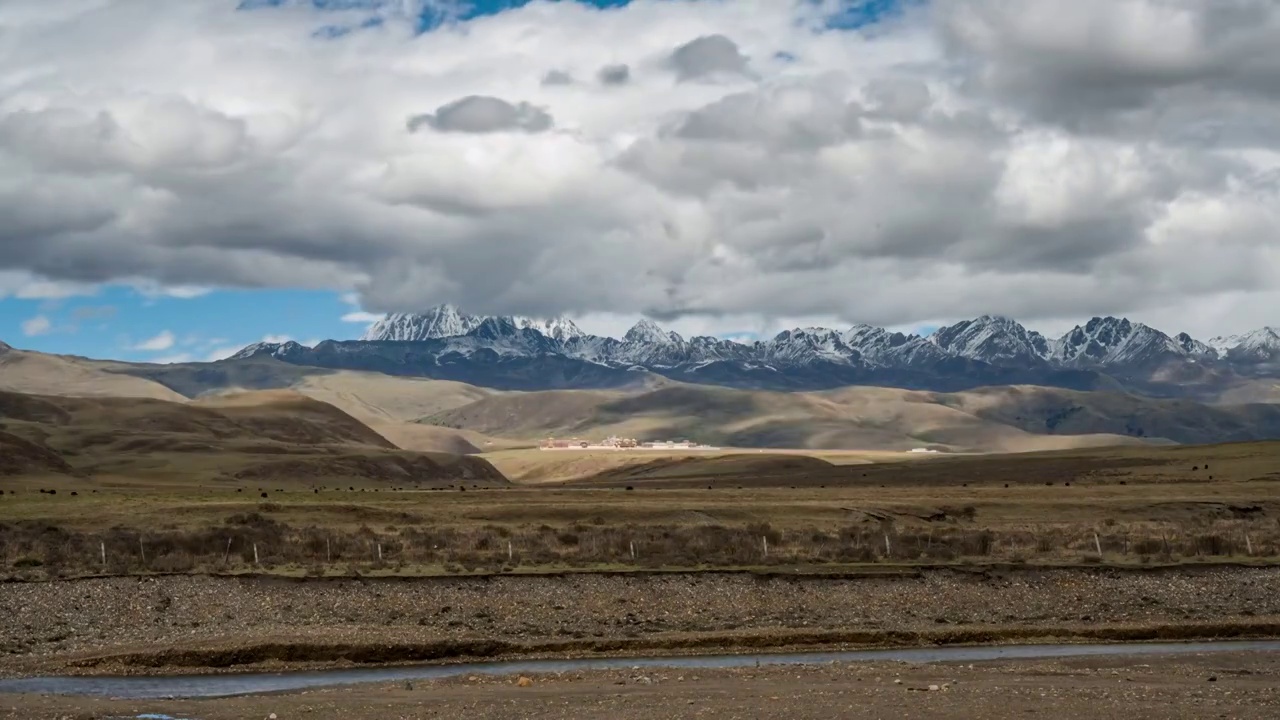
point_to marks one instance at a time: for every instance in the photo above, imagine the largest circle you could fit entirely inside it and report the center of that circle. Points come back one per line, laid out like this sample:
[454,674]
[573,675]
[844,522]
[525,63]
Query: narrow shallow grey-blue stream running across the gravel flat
[253,683]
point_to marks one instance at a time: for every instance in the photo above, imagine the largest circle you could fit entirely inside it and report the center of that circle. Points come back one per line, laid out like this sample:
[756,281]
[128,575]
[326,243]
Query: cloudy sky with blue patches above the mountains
[180,180]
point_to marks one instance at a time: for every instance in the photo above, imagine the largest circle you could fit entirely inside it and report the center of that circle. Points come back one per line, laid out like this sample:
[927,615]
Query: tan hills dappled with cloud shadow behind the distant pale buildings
[1007,420]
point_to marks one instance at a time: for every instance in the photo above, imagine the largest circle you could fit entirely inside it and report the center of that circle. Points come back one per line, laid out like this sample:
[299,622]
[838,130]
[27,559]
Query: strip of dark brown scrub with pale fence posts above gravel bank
[253,541]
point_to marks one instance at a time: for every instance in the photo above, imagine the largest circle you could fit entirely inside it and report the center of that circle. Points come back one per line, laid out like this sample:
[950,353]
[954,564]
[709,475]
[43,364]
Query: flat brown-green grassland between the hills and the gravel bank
[1136,505]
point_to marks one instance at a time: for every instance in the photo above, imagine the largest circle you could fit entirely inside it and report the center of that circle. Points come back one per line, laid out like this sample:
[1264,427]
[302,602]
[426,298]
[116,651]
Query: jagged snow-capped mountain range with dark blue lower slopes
[528,353]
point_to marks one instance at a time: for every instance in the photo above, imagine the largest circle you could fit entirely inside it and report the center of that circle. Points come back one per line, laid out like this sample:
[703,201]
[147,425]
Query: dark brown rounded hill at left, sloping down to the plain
[278,438]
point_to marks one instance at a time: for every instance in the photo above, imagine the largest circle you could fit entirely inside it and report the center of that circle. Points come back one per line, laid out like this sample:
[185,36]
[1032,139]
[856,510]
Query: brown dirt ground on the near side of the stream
[1114,689]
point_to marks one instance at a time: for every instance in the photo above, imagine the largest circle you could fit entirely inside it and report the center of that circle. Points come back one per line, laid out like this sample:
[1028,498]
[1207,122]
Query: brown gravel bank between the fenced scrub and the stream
[191,623]
